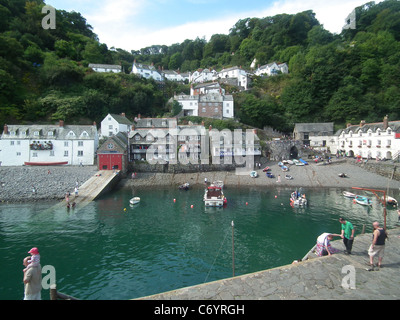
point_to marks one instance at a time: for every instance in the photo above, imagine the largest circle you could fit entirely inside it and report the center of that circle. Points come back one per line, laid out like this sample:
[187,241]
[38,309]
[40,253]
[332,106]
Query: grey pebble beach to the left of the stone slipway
[50,182]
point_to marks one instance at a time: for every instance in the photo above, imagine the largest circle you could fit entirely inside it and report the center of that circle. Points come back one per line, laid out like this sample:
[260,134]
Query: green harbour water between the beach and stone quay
[103,251]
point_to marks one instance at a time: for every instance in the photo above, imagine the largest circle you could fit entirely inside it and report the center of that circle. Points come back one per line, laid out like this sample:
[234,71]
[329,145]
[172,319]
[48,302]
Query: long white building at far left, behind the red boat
[73,144]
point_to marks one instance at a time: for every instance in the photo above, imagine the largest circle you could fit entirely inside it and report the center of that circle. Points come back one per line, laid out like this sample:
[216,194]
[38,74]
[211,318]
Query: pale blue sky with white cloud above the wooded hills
[136,24]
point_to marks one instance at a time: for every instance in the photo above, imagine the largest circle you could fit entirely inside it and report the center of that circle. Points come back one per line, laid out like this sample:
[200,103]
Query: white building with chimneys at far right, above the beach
[379,140]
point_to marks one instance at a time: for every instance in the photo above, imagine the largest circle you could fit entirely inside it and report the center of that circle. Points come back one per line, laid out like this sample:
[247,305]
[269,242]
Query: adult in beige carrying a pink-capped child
[32,281]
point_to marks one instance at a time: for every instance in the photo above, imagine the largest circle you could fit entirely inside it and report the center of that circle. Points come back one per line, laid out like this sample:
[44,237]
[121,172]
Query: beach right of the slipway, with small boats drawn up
[311,176]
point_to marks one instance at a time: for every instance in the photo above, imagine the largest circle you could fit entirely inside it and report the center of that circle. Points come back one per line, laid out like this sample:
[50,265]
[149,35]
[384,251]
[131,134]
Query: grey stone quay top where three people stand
[336,277]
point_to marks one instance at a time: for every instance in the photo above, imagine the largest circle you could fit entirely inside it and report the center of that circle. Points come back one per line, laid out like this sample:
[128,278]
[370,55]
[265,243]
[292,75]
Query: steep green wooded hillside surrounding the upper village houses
[44,74]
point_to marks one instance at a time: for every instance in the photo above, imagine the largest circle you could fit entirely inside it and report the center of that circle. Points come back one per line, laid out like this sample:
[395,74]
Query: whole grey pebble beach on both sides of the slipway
[52,182]
